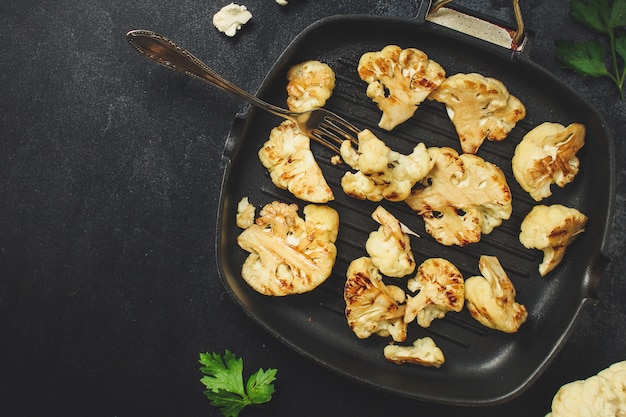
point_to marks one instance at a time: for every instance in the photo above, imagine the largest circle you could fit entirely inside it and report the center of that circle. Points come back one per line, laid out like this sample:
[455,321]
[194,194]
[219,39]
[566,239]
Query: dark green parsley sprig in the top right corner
[607,17]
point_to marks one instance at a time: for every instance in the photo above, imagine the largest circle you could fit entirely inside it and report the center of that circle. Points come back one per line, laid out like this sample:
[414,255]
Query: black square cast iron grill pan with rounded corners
[314,324]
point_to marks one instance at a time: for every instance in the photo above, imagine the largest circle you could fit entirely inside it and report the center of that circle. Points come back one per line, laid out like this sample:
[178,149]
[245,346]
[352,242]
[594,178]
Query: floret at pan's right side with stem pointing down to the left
[551,229]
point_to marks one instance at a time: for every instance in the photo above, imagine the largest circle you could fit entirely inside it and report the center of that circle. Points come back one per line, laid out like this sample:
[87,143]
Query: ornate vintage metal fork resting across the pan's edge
[321,125]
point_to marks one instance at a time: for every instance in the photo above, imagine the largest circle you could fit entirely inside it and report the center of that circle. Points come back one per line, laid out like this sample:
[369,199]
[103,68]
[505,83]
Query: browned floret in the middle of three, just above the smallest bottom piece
[441,289]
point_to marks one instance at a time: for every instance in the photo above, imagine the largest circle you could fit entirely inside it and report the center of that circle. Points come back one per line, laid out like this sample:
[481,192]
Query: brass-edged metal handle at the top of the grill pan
[443,13]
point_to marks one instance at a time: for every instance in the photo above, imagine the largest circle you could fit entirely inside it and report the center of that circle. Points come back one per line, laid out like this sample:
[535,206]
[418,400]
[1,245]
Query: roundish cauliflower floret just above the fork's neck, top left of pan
[311,83]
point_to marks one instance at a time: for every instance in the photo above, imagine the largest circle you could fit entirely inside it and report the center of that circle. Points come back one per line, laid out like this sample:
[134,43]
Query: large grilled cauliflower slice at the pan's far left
[288,254]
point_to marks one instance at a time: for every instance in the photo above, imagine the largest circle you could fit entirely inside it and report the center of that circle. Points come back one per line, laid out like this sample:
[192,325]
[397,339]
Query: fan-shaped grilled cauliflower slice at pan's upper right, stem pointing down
[480,108]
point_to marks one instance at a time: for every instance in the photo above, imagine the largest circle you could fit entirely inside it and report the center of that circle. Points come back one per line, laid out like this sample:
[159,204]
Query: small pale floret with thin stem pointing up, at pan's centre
[389,246]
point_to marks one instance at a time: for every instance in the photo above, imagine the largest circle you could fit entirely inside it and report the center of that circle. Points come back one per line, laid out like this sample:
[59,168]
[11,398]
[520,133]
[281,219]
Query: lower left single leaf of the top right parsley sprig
[586,57]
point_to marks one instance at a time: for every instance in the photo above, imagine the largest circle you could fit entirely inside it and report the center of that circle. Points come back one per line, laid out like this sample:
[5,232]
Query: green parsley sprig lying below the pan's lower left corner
[223,378]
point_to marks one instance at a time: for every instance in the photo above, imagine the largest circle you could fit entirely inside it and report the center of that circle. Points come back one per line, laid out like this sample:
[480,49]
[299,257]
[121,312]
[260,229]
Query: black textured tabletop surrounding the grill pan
[110,169]
